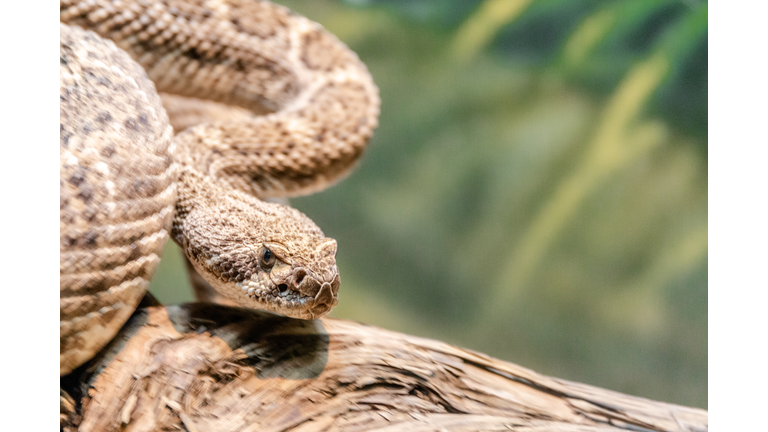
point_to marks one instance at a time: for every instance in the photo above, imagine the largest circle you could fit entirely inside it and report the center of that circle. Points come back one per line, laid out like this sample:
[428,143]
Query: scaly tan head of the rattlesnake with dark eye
[261,255]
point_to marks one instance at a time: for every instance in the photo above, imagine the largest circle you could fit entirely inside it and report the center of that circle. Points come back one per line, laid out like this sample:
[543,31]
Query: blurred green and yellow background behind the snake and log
[536,189]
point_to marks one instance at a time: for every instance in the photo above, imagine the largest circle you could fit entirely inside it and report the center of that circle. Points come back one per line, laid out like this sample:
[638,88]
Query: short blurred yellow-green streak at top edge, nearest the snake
[480,28]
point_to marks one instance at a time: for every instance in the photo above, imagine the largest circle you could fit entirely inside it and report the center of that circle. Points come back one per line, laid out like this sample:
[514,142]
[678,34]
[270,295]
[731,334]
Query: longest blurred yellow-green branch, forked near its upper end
[616,143]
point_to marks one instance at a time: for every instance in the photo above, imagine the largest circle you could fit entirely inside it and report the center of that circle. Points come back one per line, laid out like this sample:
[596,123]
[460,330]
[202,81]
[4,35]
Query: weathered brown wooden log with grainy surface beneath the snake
[206,367]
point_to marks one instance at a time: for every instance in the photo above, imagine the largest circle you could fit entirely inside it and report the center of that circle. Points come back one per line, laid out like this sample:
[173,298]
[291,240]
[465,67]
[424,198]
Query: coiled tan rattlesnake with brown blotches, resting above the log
[128,184]
